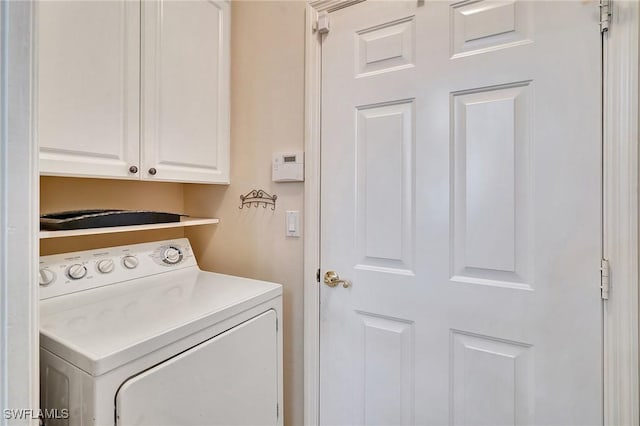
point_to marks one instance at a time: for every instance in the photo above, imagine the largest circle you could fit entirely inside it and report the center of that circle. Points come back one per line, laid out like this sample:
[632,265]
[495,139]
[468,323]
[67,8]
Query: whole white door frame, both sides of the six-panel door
[620,211]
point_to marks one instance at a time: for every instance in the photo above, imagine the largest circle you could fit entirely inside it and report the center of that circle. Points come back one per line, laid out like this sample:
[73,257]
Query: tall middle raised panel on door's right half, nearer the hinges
[492,186]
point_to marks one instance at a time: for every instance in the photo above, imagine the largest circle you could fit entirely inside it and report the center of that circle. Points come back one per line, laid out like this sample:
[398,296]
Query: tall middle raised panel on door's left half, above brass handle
[385,147]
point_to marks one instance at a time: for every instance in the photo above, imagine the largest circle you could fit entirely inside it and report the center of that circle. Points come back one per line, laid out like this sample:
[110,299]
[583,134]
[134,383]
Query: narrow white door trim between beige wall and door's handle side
[312,220]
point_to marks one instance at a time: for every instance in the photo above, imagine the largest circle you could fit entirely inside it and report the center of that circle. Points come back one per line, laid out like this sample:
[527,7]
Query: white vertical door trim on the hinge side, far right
[620,215]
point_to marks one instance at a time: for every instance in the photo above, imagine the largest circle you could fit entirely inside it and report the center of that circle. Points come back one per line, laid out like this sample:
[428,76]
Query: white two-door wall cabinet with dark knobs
[134,90]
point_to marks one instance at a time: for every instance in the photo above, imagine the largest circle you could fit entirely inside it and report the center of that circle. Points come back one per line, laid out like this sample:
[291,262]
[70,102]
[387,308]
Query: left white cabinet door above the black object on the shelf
[88,85]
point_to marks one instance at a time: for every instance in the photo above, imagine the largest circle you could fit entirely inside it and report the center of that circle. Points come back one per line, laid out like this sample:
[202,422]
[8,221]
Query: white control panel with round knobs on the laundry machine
[71,272]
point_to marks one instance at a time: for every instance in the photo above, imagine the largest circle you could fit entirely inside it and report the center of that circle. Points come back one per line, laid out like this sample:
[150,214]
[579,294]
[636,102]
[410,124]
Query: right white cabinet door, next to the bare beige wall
[185,91]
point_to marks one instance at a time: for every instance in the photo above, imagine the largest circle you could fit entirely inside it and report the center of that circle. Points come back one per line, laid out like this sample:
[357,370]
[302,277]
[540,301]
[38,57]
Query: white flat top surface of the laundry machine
[101,329]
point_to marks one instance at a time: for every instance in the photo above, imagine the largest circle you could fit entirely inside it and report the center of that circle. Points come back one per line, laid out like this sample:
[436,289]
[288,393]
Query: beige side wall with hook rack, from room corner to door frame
[267,105]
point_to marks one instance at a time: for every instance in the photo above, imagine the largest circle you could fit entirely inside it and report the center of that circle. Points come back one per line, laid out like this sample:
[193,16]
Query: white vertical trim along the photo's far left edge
[19,207]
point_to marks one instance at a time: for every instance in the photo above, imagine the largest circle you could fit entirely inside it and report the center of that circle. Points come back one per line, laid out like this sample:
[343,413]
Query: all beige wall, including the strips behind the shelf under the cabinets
[267,89]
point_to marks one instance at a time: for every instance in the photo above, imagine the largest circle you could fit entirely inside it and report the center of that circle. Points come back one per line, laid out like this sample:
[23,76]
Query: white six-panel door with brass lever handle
[461,153]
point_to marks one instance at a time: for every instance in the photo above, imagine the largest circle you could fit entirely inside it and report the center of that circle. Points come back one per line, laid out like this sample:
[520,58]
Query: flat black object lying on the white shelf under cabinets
[103,218]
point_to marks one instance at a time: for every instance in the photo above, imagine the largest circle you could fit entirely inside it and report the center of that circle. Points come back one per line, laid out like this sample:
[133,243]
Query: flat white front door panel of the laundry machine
[230,380]
